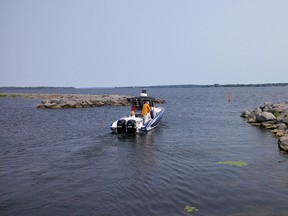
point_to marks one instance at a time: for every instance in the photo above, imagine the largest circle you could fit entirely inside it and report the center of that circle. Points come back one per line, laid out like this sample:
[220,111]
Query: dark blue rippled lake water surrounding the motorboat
[66,161]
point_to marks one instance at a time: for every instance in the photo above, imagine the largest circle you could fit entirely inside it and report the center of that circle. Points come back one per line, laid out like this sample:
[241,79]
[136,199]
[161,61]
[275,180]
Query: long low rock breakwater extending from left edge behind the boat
[58,101]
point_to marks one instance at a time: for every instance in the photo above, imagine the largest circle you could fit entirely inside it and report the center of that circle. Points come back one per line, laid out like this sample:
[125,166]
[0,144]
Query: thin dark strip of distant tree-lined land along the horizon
[158,86]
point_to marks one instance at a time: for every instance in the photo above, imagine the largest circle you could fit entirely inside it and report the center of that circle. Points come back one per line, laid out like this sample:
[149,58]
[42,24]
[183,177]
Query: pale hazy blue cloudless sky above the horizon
[109,43]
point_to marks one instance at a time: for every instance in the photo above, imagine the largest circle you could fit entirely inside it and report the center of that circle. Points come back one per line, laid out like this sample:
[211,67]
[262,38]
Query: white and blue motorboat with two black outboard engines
[135,123]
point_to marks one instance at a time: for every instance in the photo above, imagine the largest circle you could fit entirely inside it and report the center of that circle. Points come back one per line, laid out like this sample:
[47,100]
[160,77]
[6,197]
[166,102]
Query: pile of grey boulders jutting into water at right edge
[272,116]
